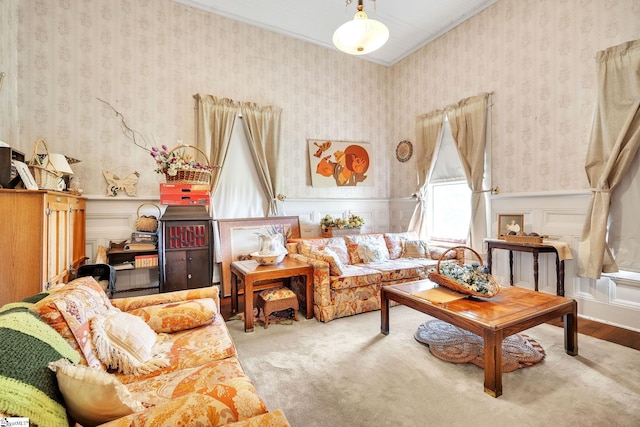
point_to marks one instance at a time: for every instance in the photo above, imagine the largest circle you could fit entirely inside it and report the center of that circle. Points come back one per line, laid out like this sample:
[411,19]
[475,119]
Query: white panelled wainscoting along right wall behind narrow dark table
[614,299]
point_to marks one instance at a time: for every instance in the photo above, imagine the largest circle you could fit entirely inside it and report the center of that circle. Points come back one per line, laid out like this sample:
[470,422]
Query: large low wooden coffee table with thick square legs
[511,311]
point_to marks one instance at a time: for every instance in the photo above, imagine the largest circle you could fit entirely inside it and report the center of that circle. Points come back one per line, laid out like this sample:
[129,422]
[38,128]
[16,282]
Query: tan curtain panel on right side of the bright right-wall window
[468,120]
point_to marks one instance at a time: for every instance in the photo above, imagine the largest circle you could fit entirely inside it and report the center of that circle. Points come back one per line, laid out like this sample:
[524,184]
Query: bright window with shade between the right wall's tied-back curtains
[449,195]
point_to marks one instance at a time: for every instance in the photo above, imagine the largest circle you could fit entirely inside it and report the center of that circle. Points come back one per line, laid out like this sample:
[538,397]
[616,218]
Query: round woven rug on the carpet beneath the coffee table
[453,344]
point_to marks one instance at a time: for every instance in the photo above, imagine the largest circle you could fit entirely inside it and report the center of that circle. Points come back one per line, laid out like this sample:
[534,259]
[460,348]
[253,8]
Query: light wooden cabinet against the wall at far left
[42,241]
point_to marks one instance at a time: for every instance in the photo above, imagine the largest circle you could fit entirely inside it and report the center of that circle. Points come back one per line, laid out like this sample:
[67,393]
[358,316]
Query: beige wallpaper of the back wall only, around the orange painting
[147,58]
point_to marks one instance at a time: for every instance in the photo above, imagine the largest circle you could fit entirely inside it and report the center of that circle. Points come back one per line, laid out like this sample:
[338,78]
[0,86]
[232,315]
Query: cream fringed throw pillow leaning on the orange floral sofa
[125,342]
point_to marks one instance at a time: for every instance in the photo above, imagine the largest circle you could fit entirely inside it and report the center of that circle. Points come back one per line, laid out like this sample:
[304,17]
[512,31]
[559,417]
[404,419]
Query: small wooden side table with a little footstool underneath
[250,273]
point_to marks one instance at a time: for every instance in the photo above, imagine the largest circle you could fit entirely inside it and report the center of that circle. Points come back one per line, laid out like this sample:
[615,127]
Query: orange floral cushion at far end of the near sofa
[178,316]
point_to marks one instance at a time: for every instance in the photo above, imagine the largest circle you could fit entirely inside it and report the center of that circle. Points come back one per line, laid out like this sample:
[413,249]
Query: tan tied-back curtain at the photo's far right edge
[615,138]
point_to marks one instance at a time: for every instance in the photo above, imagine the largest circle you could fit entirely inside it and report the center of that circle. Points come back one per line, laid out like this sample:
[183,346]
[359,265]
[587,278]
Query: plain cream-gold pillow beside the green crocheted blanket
[91,395]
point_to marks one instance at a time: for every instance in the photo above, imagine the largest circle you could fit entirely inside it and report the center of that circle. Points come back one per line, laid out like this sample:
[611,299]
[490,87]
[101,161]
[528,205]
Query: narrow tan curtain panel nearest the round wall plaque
[429,129]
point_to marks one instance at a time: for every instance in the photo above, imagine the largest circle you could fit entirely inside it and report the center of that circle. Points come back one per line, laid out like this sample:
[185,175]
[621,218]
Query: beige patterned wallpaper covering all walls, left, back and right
[148,58]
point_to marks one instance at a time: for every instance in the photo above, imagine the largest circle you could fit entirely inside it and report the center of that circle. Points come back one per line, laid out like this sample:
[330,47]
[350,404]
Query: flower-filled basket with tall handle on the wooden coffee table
[468,279]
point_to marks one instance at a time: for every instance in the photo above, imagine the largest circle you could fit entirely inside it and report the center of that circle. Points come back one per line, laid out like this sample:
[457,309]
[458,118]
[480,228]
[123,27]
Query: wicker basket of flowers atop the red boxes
[184,164]
